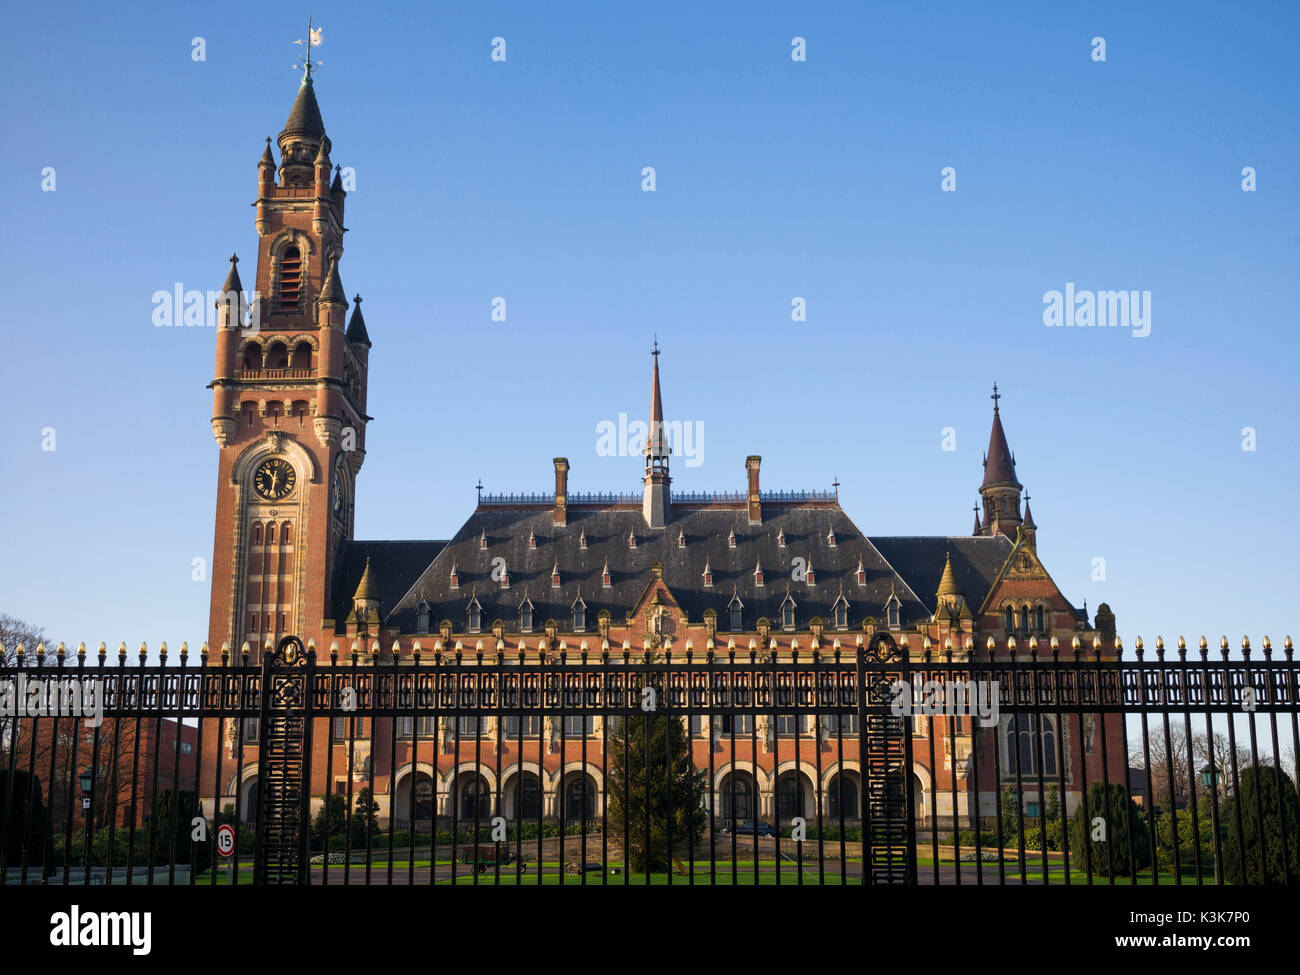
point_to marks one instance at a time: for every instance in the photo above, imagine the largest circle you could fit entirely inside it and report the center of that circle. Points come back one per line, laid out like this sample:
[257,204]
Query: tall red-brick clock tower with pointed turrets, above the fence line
[289,401]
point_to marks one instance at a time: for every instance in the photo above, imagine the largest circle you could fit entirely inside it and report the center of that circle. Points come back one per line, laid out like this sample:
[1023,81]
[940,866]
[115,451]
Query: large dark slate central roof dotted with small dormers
[707,531]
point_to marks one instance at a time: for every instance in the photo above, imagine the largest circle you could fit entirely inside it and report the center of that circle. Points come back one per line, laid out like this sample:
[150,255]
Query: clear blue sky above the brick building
[774,180]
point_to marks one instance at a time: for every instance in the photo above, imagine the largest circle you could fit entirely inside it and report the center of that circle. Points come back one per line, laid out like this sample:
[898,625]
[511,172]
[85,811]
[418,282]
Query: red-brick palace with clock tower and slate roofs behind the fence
[566,573]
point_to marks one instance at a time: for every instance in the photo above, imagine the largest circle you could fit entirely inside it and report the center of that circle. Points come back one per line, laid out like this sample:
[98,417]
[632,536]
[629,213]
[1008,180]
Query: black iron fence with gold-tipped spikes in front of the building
[879,766]
